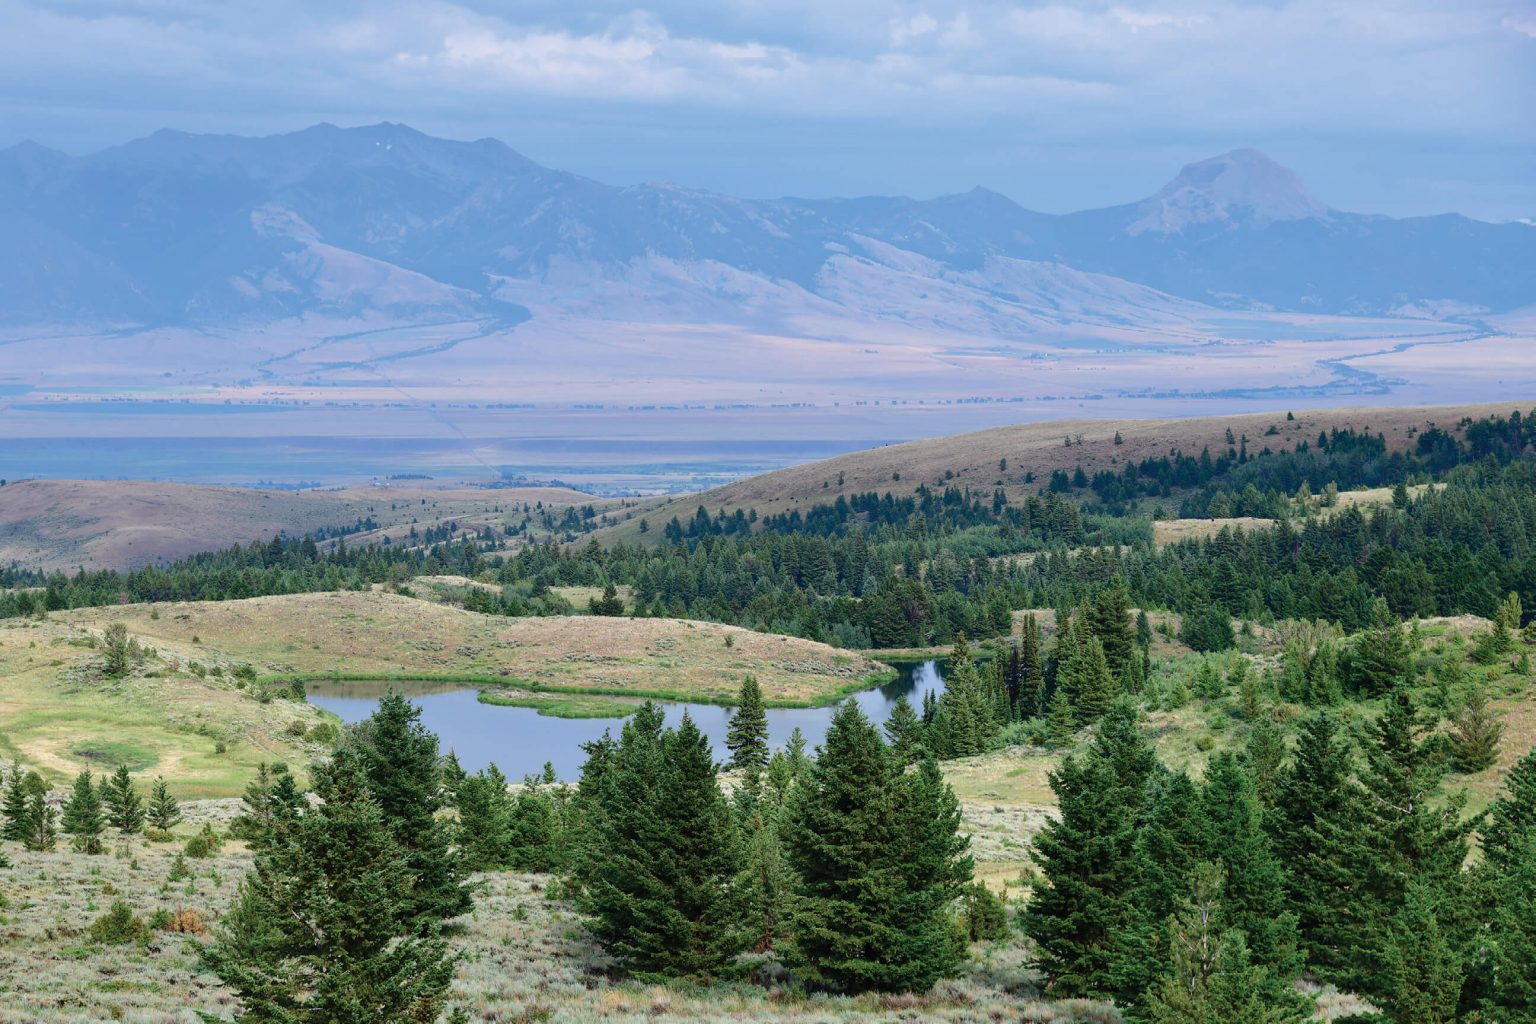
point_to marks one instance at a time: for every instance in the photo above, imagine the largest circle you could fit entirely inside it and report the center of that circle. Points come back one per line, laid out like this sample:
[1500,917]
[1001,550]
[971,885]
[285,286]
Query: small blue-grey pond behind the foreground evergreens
[520,741]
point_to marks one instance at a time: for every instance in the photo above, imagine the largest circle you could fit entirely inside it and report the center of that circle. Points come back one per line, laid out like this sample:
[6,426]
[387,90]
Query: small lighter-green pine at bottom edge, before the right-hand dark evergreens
[1211,979]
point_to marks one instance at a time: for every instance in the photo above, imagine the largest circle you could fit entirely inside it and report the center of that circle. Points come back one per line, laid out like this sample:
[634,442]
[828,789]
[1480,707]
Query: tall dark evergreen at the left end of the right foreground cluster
[1085,908]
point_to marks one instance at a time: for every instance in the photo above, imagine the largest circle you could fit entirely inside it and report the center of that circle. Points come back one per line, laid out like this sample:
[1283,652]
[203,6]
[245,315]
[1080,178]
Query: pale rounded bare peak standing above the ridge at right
[1243,187]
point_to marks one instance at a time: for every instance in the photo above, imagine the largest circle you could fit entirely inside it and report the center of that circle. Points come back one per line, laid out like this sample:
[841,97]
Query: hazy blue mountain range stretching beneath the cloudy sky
[391,223]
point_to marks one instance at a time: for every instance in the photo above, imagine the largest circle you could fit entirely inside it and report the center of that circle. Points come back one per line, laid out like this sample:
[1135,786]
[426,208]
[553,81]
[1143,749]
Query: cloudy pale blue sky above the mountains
[1392,107]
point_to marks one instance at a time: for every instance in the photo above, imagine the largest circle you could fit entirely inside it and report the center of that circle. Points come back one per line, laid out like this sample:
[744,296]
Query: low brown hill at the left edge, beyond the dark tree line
[125,524]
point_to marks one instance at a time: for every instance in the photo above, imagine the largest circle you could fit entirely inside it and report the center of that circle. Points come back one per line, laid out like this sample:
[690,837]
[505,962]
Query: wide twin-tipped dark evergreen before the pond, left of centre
[667,899]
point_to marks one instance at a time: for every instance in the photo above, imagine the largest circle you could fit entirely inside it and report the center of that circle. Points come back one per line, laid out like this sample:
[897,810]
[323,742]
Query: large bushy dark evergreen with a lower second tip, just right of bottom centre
[879,859]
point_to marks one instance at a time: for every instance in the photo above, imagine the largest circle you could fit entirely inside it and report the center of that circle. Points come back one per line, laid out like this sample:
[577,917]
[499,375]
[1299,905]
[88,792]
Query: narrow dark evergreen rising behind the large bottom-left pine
[405,775]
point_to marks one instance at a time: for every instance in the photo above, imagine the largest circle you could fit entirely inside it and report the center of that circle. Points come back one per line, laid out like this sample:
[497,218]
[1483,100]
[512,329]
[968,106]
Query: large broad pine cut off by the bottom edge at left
[325,928]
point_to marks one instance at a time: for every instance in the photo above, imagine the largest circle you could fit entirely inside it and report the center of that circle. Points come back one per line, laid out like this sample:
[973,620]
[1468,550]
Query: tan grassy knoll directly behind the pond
[377,633]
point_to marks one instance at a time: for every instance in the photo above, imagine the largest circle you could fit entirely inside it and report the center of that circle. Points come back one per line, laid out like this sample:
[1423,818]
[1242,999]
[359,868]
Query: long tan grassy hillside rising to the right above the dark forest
[1031,452]
